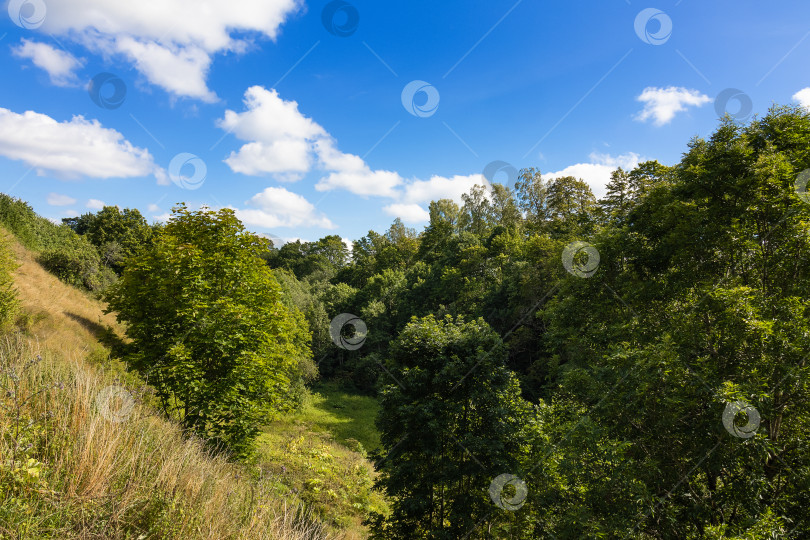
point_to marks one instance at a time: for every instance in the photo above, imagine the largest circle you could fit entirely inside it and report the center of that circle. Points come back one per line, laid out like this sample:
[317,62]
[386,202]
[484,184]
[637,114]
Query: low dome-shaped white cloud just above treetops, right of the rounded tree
[277,207]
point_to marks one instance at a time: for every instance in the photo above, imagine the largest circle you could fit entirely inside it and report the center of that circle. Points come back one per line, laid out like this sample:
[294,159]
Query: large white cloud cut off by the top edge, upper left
[171,42]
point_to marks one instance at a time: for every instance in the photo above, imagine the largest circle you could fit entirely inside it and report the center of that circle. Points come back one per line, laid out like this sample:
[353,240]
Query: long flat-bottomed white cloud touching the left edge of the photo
[72,148]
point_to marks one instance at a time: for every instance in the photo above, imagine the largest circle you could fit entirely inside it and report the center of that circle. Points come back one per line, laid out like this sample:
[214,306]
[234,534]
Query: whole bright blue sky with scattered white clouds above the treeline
[304,130]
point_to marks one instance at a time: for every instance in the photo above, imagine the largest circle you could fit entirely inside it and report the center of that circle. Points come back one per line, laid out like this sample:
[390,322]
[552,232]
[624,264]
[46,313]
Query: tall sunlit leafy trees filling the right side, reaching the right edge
[700,301]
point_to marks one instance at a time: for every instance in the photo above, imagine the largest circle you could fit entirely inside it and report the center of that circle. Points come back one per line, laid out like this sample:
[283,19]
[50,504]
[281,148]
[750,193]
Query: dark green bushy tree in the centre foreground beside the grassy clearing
[452,423]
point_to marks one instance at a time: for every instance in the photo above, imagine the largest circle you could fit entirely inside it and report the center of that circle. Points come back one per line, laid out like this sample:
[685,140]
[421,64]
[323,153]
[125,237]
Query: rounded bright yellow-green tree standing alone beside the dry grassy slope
[209,327]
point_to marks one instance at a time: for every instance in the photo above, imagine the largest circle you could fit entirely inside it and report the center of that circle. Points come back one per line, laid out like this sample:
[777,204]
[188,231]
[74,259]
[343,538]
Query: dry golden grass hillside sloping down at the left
[70,473]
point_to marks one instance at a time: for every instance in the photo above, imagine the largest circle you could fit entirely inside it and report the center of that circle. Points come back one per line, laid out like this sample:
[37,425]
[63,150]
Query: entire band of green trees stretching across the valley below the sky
[548,365]
